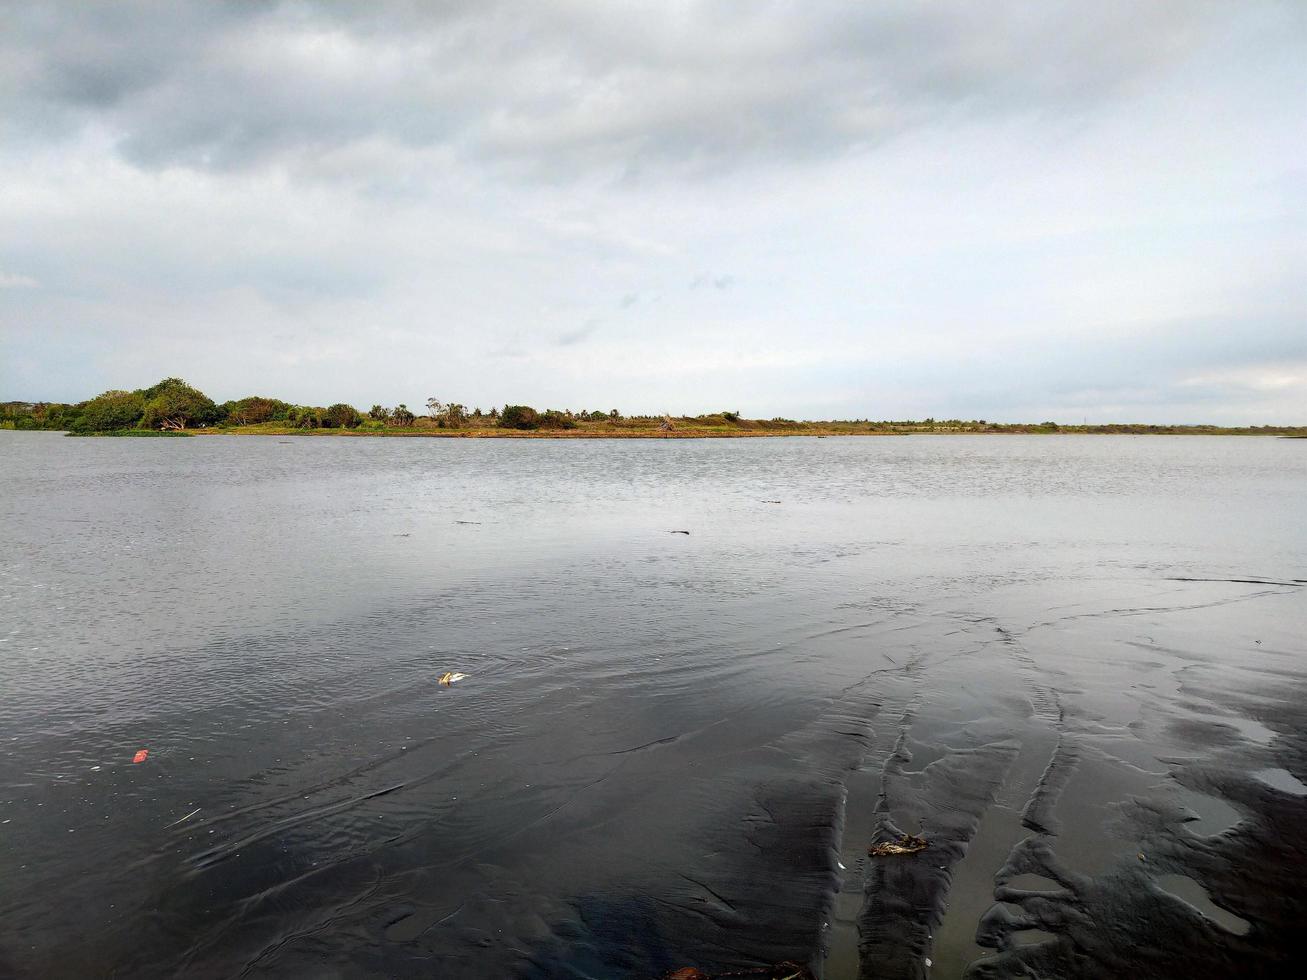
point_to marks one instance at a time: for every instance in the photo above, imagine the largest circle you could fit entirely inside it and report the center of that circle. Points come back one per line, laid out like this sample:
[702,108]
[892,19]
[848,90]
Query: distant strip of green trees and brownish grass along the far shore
[178,408]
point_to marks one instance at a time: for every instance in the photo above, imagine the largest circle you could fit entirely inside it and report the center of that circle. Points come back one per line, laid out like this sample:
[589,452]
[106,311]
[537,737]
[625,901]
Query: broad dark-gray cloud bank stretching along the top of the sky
[565,88]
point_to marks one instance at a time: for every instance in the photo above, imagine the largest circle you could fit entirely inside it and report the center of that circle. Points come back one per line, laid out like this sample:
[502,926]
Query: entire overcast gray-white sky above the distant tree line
[1004,211]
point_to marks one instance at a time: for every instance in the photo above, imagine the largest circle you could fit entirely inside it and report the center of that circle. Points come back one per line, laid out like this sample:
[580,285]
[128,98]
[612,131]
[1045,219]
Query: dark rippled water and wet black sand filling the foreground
[1075,664]
